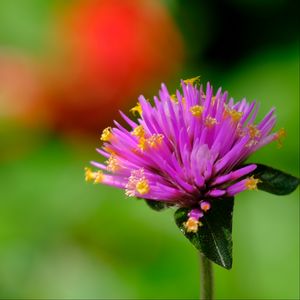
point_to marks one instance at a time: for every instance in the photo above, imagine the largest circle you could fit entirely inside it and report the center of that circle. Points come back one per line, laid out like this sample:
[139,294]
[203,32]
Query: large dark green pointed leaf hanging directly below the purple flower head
[213,238]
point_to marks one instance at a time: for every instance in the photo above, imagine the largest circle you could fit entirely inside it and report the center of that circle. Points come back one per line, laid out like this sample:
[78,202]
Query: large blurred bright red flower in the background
[112,50]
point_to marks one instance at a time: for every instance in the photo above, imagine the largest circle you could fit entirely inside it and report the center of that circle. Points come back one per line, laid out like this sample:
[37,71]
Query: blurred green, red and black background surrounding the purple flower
[66,68]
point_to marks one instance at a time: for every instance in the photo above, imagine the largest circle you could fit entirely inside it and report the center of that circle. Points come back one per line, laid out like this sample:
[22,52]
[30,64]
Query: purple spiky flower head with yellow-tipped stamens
[185,149]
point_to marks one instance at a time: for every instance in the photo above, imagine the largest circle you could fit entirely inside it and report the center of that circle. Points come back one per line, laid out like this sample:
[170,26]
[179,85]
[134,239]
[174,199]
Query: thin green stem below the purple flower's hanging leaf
[206,279]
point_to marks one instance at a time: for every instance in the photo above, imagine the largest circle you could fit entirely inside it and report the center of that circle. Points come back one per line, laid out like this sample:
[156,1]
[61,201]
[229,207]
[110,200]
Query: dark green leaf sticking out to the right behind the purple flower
[275,181]
